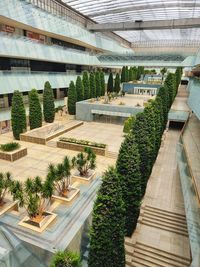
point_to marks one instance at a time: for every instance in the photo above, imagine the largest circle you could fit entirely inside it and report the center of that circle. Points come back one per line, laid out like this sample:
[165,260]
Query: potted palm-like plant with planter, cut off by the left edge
[5,203]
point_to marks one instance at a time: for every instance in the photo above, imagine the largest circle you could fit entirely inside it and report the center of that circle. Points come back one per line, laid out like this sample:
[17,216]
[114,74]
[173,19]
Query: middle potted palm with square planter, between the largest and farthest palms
[60,176]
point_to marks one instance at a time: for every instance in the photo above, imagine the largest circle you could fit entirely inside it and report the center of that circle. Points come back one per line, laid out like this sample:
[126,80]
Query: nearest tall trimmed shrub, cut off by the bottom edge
[107,231]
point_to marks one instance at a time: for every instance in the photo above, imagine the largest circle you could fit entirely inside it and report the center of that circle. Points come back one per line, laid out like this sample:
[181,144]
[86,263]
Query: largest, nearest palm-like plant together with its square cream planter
[34,195]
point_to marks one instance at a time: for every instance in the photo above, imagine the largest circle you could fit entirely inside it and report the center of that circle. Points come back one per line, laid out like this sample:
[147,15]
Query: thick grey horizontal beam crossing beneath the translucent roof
[146,25]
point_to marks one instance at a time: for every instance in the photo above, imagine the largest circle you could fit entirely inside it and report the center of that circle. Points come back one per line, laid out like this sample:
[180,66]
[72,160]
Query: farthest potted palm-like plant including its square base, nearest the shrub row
[85,163]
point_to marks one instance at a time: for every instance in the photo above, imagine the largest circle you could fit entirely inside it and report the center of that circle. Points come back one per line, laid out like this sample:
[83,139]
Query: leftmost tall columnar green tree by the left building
[18,115]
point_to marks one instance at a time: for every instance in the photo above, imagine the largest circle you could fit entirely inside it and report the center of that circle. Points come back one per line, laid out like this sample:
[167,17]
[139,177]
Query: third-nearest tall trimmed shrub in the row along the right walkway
[140,130]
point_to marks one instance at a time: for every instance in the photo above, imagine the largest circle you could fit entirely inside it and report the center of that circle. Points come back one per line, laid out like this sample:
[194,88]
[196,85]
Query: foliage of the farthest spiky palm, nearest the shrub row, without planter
[85,161]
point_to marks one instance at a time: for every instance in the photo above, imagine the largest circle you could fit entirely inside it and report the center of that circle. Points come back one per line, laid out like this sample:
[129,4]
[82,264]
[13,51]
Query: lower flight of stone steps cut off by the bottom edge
[139,255]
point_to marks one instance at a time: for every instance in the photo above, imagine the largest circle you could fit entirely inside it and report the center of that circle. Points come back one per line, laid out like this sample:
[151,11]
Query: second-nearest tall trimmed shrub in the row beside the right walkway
[128,168]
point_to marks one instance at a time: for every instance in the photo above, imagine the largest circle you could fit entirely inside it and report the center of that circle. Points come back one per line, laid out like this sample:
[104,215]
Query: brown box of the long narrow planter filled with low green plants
[80,148]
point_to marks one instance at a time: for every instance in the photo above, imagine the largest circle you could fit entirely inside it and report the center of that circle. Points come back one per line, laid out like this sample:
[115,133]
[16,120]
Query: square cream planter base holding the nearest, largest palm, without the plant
[39,227]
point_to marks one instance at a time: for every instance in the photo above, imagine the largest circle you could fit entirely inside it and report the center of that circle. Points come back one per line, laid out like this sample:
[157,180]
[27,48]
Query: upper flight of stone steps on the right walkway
[164,220]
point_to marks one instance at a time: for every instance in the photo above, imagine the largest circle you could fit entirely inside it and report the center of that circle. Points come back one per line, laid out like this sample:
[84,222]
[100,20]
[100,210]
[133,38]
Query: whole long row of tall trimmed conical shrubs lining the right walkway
[117,206]
